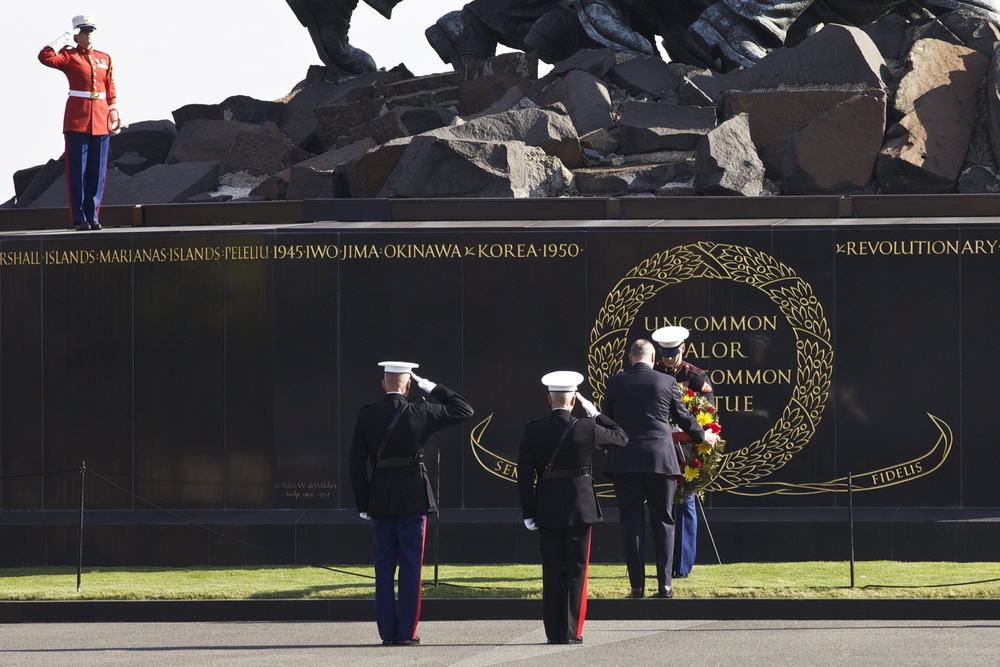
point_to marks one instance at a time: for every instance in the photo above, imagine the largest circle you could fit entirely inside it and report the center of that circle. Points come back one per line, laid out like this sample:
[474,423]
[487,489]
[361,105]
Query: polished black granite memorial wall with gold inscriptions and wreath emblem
[223,370]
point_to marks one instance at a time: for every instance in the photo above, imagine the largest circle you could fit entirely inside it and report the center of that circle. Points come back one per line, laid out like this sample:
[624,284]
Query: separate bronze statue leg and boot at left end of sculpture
[328,22]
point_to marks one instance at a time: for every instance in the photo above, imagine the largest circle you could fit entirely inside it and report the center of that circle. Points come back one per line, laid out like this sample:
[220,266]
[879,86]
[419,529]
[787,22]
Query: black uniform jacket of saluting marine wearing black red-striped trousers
[562,502]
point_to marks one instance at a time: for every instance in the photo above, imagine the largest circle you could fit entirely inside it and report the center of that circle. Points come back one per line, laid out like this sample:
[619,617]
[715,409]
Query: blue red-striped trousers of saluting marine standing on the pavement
[399,542]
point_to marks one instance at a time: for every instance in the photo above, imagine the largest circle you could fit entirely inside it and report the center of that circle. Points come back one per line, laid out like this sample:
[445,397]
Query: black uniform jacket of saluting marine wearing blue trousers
[399,490]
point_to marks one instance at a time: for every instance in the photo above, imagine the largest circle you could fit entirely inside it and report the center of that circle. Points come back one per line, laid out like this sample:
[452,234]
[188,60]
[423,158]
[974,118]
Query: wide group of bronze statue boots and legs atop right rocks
[718,34]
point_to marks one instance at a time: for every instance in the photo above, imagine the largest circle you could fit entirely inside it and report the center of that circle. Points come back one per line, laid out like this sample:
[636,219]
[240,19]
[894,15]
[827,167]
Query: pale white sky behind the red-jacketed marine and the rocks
[169,54]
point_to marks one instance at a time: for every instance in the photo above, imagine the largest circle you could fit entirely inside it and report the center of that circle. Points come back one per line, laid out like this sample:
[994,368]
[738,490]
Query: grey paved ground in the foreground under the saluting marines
[482,643]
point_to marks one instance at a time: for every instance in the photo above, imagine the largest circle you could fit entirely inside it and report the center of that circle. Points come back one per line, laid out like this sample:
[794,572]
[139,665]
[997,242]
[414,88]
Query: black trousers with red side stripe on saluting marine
[565,560]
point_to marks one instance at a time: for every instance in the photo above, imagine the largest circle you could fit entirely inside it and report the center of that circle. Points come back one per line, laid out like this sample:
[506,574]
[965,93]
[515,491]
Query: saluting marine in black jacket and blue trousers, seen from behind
[392,489]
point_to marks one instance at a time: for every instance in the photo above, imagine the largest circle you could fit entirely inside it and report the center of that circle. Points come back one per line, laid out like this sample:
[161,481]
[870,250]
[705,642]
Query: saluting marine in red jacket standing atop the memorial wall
[90,119]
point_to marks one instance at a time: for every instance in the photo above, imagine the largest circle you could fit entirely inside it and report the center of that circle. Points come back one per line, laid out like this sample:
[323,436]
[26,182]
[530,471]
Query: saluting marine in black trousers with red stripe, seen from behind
[559,451]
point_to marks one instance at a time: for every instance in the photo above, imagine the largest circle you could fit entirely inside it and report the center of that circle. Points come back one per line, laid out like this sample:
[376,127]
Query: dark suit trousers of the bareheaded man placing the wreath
[655,491]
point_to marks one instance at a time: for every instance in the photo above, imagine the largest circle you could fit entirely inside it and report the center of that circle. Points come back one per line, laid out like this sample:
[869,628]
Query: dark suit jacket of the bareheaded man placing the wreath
[643,401]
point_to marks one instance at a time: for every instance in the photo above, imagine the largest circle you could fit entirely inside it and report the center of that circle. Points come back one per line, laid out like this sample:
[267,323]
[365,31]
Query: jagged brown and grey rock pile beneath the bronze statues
[897,108]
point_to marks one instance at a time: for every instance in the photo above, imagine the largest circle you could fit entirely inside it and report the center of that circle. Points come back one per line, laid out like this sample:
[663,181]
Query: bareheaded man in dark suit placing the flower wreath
[644,402]
